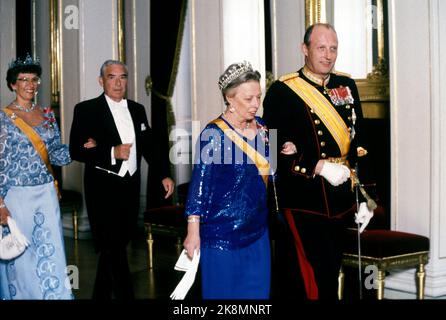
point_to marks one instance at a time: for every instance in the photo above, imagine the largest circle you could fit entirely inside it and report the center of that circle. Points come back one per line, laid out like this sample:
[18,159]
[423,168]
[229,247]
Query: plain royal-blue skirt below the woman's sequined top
[237,274]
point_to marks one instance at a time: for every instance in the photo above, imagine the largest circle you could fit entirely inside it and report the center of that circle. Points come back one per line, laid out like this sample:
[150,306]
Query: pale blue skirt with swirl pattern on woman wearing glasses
[40,272]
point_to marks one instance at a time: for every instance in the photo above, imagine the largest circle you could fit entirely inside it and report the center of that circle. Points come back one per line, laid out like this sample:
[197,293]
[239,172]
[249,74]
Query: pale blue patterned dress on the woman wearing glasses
[30,196]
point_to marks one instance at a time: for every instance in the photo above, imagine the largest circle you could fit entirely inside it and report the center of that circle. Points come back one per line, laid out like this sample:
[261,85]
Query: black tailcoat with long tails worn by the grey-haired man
[112,201]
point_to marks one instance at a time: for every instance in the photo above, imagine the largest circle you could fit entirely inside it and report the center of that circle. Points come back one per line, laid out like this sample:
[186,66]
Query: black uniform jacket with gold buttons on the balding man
[295,121]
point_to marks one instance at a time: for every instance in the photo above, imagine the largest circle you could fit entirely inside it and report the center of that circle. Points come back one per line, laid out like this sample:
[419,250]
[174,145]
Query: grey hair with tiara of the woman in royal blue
[235,75]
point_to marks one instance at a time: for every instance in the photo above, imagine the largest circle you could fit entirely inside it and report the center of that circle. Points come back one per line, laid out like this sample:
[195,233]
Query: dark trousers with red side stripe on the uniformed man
[323,242]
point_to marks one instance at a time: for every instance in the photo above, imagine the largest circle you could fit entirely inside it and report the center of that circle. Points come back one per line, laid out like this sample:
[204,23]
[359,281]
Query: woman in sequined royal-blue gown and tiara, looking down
[227,200]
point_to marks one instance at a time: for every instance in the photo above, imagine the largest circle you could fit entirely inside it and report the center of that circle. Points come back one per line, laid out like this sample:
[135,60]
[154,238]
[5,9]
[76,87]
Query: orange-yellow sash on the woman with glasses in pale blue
[36,141]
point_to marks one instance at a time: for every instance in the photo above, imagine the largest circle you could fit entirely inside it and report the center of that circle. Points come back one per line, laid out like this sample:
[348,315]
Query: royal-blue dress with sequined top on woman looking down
[230,197]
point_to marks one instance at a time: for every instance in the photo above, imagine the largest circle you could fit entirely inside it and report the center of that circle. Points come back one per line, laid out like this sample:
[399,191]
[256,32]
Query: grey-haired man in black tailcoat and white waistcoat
[119,132]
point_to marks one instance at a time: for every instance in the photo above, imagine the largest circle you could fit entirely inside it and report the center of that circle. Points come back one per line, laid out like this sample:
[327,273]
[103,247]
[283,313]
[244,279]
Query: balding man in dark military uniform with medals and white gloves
[317,114]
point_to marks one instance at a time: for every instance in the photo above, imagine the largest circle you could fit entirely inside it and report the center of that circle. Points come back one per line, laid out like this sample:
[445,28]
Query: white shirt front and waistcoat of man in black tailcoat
[124,123]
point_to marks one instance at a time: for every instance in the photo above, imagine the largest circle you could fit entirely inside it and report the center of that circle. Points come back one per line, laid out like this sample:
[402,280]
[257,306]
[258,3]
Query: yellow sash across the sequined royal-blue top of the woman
[259,160]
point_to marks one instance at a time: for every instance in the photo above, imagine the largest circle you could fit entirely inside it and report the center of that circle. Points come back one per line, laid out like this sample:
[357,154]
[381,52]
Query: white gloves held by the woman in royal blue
[190,267]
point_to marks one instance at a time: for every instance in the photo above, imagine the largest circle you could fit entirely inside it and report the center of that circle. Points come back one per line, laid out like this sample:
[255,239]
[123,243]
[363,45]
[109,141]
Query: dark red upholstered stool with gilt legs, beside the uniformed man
[386,249]
